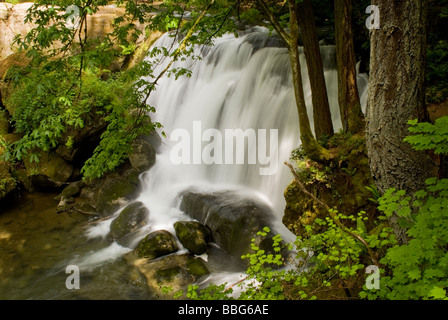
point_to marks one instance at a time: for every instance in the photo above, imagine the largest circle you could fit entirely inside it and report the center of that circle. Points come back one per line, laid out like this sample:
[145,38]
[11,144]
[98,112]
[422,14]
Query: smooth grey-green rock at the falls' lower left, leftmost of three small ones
[130,219]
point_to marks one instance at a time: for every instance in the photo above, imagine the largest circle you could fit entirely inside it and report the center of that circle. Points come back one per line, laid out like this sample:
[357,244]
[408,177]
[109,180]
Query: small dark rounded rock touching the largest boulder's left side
[193,235]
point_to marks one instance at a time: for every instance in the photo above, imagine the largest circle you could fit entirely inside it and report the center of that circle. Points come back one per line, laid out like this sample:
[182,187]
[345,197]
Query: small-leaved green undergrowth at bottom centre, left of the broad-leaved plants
[328,264]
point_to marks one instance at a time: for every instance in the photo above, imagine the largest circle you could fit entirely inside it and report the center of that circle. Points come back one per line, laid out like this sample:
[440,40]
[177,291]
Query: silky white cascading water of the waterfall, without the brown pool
[238,84]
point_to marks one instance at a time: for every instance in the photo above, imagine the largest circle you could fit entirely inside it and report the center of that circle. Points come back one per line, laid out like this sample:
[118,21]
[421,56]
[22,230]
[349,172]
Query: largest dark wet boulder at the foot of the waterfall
[233,220]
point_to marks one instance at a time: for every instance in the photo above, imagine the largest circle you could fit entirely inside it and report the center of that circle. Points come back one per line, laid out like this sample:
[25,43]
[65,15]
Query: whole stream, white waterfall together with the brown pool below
[240,83]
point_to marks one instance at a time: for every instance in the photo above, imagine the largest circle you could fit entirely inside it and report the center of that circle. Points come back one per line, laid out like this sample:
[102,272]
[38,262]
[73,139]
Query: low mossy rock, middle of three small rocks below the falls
[156,244]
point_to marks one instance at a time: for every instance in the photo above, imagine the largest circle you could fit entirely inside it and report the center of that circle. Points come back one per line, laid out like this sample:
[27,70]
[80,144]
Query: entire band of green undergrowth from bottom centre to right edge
[333,260]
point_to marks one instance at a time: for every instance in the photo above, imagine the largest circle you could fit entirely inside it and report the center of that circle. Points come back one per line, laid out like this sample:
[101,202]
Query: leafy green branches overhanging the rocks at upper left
[67,83]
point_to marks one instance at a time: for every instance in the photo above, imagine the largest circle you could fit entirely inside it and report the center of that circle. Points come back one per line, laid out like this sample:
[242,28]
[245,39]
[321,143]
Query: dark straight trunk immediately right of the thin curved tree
[323,124]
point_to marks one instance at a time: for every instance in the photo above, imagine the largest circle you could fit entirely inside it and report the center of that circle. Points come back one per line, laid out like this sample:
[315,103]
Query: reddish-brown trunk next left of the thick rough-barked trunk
[348,95]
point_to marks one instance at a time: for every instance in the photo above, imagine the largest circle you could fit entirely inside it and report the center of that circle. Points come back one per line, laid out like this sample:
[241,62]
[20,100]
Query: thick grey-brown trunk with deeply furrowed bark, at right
[396,95]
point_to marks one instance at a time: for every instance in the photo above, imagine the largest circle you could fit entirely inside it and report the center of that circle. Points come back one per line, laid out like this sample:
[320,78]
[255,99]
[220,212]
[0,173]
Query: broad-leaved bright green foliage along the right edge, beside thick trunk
[419,268]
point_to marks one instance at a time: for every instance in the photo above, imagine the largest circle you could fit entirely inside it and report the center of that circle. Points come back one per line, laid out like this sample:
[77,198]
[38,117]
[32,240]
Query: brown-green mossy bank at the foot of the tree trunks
[340,183]
